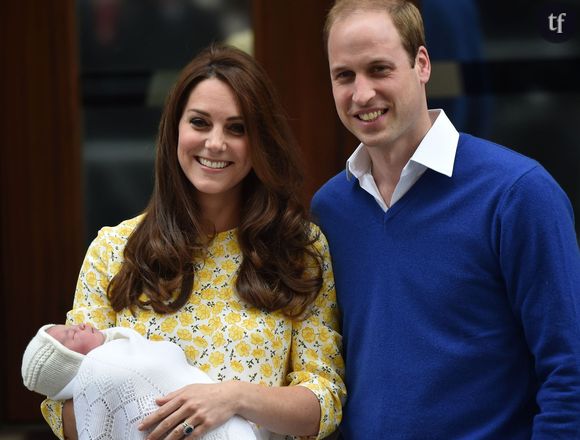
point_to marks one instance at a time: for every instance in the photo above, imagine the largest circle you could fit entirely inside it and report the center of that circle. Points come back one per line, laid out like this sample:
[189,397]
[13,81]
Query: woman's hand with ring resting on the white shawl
[202,406]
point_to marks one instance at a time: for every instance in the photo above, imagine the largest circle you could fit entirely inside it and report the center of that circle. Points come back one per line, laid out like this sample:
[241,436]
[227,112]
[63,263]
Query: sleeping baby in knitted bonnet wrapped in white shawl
[114,377]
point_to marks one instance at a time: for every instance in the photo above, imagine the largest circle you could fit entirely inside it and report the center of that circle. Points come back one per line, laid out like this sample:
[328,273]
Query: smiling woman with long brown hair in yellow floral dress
[223,262]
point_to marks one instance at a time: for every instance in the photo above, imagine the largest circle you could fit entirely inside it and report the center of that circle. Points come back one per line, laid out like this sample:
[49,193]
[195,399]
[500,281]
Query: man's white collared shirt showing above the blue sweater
[436,151]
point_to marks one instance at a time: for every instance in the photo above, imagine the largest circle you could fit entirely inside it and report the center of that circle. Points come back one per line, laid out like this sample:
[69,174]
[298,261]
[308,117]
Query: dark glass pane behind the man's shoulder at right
[499,76]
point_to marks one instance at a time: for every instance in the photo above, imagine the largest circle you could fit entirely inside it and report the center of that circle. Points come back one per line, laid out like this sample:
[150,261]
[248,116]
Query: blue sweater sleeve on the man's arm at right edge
[540,261]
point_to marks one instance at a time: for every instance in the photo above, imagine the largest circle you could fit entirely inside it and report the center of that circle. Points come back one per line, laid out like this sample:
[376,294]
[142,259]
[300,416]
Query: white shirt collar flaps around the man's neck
[436,151]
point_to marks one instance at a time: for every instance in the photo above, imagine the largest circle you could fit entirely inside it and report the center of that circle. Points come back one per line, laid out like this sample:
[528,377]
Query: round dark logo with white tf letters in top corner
[557,21]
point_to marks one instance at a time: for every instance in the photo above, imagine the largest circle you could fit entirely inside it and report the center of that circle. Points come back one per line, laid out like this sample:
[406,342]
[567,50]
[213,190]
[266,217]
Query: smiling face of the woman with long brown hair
[213,147]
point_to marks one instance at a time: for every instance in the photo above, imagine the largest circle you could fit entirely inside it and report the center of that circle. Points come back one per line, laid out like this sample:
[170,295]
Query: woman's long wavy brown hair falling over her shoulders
[280,269]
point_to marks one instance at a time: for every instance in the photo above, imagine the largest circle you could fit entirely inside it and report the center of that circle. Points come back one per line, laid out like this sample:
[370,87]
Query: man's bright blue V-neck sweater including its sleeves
[460,305]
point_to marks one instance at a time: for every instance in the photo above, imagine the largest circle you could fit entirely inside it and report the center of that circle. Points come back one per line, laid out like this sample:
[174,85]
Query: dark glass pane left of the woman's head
[131,52]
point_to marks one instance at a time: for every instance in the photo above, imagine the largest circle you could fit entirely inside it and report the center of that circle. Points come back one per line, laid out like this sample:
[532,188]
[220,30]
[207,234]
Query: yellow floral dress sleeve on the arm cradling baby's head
[90,304]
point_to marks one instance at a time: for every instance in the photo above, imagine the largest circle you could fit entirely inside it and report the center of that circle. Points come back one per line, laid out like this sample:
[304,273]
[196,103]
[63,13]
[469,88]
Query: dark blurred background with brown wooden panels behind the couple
[83,85]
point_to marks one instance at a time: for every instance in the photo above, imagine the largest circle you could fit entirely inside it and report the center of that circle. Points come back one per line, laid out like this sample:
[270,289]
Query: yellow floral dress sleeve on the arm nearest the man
[316,355]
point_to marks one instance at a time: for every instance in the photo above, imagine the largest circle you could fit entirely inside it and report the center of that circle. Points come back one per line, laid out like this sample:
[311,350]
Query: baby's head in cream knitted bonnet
[52,358]
